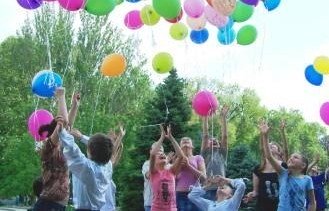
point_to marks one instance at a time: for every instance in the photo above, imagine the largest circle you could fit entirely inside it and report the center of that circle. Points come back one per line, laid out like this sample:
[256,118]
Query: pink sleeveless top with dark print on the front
[163,188]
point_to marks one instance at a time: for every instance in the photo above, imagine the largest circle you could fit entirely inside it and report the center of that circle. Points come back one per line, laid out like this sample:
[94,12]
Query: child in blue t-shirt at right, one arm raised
[295,186]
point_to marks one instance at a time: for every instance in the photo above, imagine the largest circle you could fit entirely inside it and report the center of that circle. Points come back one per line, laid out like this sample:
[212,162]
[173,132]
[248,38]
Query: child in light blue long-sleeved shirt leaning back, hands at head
[225,198]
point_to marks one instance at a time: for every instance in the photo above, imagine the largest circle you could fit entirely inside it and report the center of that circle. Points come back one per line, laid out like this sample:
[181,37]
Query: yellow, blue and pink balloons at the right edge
[314,75]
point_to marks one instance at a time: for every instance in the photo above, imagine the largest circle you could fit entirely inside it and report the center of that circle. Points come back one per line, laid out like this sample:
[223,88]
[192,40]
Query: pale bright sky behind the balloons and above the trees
[289,39]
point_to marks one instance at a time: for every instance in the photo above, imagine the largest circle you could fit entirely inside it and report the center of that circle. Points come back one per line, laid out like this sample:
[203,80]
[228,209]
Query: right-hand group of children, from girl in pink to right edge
[192,183]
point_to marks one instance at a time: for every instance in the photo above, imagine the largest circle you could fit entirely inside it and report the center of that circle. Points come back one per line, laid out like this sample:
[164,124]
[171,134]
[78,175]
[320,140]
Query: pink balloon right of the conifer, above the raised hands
[205,103]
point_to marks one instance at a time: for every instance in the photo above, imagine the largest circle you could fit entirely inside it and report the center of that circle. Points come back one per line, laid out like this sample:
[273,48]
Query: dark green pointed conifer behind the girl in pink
[169,105]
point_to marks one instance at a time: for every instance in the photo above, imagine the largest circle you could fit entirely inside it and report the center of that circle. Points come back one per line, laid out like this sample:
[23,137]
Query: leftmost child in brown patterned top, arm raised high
[55,175]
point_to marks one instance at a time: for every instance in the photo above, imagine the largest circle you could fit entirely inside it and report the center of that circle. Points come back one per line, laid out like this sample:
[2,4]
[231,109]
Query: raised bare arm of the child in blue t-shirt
[264,136]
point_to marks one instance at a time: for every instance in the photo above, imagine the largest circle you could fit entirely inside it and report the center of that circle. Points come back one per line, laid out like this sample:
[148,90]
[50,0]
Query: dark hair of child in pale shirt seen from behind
[100,148]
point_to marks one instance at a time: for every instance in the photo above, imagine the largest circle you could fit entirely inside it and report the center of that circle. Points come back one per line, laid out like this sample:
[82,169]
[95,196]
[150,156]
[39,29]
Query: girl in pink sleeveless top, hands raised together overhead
[162,175]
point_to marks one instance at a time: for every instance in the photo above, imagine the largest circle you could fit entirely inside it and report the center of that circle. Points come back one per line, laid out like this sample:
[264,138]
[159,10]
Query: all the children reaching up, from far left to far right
[183,182]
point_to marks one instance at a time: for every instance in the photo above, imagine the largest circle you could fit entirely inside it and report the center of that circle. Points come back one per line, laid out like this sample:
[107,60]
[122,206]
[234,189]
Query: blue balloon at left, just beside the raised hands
[45,82]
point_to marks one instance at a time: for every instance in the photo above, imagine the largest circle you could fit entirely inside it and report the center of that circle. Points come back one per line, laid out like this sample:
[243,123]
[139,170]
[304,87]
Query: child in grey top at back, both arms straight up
[215,153]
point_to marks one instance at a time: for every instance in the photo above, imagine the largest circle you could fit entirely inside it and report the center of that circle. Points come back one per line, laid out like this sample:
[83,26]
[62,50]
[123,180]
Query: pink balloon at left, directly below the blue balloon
[38,118]
